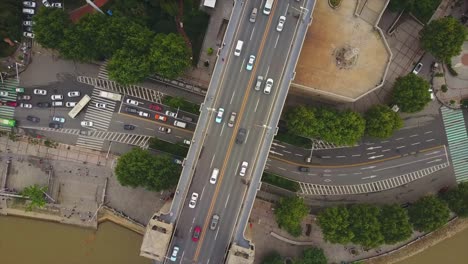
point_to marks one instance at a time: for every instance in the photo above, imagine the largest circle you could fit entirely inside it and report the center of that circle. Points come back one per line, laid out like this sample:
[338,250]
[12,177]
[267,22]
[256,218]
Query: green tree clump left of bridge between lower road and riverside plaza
[140,168]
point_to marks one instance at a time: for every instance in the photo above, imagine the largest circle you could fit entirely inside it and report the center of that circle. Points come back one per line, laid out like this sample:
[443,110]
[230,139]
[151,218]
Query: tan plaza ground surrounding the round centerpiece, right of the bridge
[331,30]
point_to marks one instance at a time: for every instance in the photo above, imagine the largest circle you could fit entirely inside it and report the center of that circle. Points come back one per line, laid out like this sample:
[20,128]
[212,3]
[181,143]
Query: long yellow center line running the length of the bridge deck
[231,143]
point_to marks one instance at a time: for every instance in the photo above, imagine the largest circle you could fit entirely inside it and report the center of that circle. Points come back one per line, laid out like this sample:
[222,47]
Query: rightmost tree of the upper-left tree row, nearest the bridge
[169,55]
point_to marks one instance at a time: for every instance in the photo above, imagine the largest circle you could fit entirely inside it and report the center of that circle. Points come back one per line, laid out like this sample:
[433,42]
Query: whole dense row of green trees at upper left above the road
[134,51]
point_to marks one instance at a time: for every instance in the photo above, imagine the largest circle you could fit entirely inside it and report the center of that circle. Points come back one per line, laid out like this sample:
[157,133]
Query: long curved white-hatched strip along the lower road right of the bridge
[377,186]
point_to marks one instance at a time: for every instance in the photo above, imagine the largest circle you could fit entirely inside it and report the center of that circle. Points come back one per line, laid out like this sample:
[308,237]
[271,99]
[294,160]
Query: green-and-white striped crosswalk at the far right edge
[457,139]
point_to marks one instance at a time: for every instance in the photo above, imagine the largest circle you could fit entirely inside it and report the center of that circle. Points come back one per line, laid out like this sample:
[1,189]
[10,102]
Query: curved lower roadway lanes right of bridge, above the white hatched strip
[361,173]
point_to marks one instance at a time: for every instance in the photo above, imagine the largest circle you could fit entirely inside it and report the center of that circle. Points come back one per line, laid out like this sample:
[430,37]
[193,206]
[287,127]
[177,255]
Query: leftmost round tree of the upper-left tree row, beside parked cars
[50,25]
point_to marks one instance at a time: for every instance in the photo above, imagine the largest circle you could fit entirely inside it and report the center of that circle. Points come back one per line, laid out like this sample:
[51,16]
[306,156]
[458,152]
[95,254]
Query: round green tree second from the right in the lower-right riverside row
[428,213]
